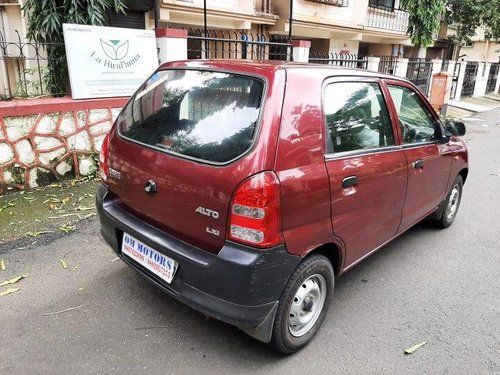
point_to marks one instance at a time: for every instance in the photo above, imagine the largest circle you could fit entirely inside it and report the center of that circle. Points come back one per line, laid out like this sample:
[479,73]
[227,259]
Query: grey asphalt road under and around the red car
[439,286]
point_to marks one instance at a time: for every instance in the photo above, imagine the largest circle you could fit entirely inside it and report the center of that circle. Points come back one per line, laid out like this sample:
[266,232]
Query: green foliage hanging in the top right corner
[468,15]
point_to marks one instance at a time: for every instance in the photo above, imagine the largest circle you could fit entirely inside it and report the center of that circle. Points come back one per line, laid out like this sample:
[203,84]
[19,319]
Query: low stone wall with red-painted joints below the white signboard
[39,145]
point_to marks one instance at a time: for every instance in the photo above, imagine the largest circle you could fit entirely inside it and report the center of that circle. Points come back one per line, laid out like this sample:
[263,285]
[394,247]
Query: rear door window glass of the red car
[357,116]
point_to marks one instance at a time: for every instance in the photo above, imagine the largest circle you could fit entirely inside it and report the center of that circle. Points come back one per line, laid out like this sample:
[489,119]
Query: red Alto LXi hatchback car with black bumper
[243,188]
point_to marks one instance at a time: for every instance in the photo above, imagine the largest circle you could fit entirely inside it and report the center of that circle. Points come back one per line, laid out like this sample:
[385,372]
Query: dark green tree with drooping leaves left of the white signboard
[45,26]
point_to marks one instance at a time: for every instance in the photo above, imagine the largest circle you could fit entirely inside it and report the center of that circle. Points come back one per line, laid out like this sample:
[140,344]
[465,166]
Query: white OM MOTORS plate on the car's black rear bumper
[161,265]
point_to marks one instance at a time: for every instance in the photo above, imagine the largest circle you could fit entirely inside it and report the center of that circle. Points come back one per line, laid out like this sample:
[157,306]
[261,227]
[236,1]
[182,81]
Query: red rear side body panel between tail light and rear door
[301,167]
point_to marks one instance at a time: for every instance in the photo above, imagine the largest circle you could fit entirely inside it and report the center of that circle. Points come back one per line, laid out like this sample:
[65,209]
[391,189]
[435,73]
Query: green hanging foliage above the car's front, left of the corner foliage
[424,20]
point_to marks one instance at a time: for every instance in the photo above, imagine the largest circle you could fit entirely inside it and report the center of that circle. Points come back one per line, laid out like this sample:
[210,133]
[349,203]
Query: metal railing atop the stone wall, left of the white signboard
[25,69]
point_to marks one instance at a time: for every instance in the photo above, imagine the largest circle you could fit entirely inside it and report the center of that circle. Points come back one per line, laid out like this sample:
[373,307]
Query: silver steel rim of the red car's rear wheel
[307,305]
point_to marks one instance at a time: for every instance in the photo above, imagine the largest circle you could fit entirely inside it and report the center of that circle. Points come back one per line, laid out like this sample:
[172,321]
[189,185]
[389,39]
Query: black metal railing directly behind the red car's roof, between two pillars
[222,44]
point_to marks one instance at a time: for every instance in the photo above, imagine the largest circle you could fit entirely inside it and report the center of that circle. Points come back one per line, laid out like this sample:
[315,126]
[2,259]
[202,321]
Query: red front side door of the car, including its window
[429,159]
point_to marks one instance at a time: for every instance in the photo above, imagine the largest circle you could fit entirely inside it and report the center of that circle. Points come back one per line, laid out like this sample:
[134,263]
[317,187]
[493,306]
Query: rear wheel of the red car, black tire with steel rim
[315,279]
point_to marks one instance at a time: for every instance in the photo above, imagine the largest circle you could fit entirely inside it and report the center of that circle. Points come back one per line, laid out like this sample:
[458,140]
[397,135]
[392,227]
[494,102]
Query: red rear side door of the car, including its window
[366,167]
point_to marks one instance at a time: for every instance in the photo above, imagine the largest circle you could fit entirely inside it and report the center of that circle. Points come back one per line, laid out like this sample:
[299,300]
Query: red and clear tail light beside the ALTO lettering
[255,217]
